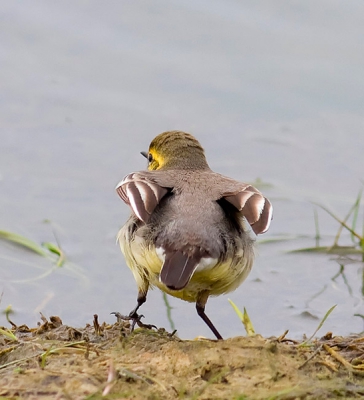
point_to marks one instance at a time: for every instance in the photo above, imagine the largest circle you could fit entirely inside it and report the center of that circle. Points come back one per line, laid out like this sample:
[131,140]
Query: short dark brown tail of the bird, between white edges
[177,270]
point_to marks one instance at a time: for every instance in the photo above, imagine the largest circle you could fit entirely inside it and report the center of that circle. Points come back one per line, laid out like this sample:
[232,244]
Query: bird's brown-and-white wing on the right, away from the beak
[253,205]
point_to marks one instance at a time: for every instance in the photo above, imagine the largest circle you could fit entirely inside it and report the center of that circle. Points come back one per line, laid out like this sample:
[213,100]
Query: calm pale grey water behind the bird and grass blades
[273,90]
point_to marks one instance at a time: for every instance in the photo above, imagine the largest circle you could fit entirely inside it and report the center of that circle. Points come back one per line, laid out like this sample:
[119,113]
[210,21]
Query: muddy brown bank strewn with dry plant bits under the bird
[54,361]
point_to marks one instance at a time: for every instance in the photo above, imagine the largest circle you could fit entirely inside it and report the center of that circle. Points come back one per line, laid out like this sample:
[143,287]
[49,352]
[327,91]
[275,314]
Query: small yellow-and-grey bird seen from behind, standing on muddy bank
[192,231]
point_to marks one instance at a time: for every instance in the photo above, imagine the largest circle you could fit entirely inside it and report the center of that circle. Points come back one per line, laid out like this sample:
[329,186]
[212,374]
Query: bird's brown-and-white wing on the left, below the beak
[141,194]
